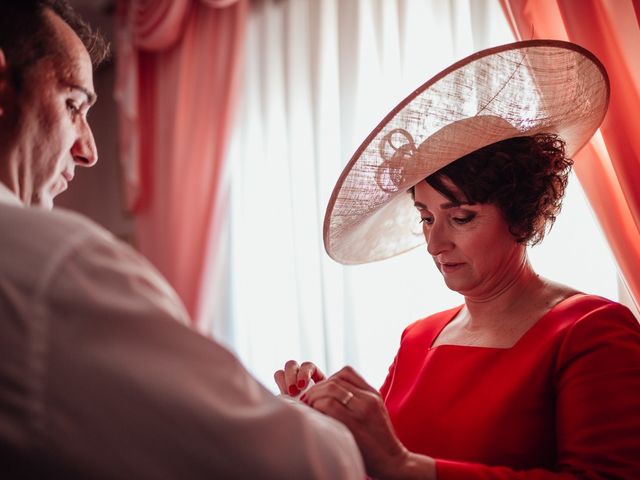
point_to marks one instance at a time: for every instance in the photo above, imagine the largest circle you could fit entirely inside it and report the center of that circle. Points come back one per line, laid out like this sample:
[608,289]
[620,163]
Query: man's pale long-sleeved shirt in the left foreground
[101,378]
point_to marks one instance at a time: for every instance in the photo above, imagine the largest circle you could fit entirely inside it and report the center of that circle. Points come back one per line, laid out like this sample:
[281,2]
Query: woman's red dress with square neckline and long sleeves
[563,402]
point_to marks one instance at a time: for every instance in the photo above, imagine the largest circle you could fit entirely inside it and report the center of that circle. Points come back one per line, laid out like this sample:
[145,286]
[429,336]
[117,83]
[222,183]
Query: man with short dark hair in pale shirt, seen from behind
[99,376]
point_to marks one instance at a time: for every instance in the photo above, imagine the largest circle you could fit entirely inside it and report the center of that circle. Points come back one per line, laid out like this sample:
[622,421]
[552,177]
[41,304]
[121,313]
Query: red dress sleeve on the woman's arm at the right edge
[597,405]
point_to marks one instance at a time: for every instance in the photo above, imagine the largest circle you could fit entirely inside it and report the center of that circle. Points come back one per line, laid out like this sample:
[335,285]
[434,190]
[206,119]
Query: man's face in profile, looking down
[53,136]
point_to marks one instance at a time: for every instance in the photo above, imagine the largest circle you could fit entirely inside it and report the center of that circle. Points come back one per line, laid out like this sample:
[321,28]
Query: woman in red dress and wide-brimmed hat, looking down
[528,378]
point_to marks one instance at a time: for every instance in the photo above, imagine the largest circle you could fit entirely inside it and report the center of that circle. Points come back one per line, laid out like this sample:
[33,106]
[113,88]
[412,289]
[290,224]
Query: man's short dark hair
[26,34]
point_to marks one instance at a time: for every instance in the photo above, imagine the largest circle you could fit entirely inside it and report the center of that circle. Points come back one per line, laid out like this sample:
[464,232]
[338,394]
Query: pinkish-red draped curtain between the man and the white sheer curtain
[178,66]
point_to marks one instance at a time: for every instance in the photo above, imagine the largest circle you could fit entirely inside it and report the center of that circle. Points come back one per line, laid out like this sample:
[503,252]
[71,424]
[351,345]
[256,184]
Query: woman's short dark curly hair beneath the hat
[525,177]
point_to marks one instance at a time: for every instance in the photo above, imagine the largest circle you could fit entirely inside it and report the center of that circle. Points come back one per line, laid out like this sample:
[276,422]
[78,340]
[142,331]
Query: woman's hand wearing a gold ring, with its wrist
[346,397]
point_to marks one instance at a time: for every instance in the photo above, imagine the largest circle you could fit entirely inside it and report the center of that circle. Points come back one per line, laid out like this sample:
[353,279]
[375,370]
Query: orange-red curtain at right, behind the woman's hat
[609,167]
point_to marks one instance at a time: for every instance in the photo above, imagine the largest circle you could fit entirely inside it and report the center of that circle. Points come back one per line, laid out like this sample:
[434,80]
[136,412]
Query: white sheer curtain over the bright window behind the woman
[319,75]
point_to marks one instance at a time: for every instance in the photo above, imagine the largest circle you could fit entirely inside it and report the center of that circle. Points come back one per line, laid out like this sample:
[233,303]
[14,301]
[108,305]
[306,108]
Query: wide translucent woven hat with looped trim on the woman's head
[518,89]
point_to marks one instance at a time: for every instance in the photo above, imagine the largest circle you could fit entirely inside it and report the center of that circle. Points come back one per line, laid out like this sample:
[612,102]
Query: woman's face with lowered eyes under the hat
[470,244]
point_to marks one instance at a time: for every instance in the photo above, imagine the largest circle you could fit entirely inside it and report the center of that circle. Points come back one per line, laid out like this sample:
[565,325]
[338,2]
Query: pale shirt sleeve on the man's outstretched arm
[128,391]
